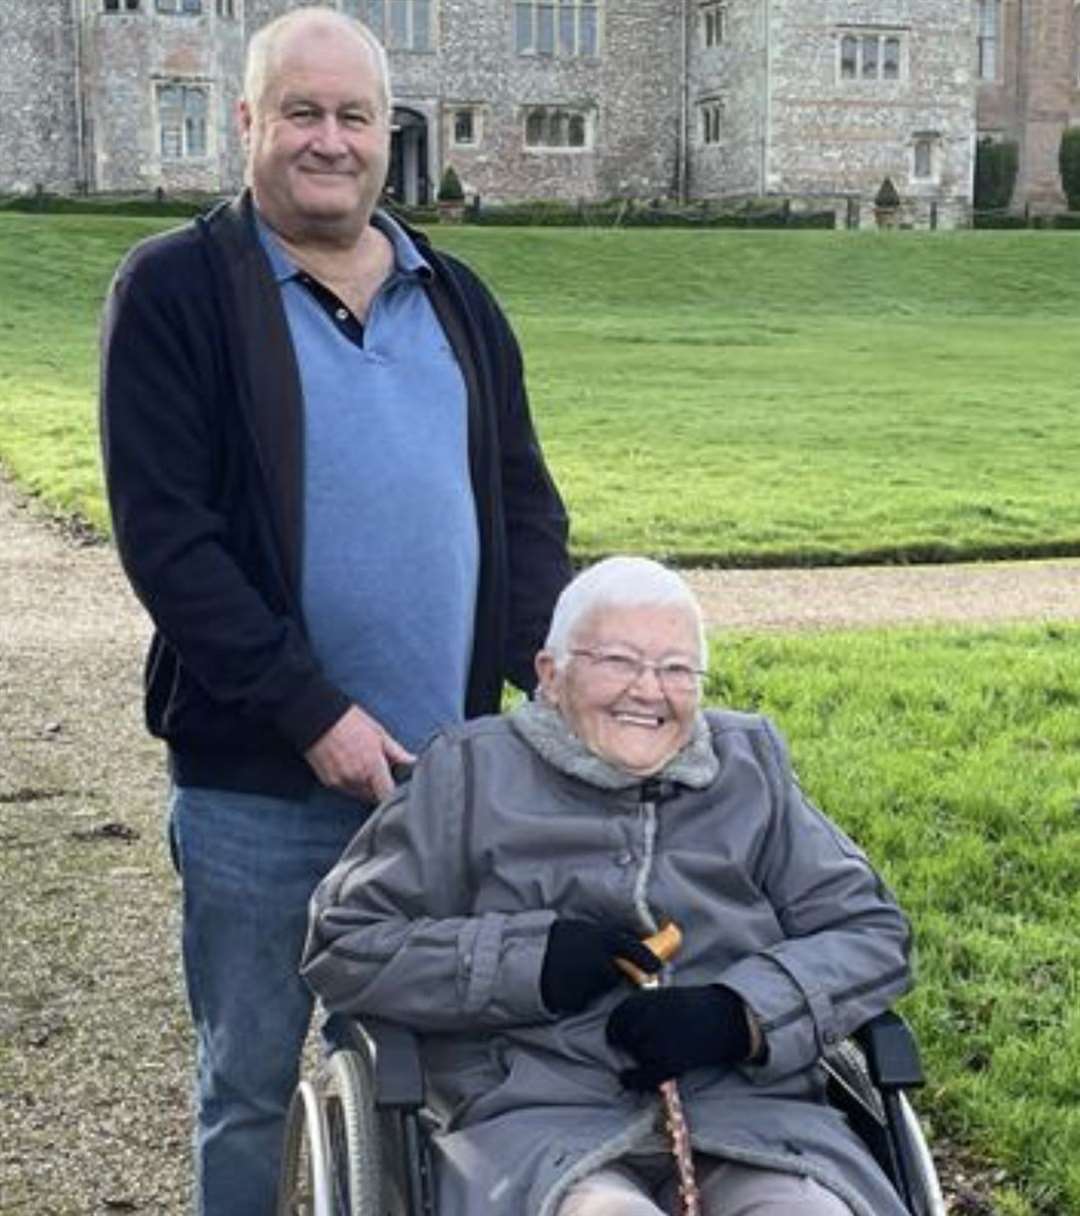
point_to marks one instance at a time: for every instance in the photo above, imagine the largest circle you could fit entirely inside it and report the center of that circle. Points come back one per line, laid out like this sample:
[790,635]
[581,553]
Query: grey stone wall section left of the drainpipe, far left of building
[40,119]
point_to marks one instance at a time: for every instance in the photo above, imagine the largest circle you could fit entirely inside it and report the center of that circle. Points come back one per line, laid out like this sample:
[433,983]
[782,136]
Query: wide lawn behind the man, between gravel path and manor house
[723,397]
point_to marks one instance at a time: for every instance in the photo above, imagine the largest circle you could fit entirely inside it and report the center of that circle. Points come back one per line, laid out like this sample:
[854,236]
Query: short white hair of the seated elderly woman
[621,583]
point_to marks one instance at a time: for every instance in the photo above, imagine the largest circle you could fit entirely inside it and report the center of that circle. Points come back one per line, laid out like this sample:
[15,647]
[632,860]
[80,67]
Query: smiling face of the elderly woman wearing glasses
[637,722]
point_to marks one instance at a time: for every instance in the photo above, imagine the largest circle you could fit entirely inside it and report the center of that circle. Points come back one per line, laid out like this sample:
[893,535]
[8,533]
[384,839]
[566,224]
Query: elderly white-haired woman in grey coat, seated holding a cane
[486,904]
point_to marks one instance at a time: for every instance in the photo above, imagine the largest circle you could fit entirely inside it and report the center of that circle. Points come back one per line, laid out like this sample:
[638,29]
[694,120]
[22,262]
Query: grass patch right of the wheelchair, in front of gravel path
[954,759]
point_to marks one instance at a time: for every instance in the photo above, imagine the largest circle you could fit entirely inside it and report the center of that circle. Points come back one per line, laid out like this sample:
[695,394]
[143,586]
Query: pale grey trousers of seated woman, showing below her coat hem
[727,1189]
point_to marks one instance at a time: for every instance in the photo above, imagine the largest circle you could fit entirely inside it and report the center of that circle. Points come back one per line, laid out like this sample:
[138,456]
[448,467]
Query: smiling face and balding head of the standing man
[319,137]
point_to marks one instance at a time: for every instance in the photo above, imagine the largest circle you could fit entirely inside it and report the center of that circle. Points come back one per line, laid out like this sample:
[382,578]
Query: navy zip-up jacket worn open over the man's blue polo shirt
[202,421]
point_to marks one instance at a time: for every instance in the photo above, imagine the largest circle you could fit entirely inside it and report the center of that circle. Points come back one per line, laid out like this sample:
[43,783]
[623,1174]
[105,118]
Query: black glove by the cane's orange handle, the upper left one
[580,965]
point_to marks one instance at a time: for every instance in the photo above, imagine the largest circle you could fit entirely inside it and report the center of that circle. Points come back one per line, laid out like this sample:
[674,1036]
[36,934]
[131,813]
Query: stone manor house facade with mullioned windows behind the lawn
[813,100]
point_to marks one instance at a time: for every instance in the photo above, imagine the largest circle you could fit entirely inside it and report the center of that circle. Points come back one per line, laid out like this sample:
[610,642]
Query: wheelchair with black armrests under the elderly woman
[358,1136]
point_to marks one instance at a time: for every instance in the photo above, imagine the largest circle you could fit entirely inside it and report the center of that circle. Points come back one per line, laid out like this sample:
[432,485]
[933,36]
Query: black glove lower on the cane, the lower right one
[673,1031]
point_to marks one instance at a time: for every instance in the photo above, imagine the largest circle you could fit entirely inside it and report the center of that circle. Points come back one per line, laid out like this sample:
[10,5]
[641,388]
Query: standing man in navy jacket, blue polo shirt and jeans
[328,492]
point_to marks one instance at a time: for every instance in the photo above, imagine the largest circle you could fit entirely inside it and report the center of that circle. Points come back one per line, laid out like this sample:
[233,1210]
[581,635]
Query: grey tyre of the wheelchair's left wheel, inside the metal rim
[348,1105]
